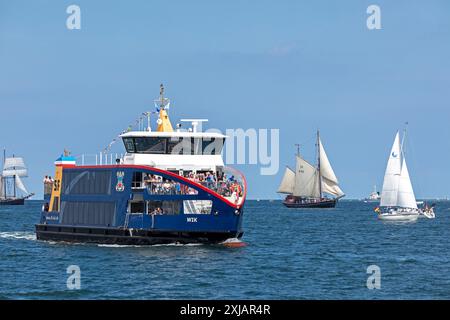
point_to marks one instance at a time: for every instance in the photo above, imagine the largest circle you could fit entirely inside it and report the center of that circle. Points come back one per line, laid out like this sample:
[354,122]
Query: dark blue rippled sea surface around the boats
[291,254]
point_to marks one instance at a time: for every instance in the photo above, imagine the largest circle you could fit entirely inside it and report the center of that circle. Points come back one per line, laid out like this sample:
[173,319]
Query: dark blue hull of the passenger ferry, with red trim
[95,207]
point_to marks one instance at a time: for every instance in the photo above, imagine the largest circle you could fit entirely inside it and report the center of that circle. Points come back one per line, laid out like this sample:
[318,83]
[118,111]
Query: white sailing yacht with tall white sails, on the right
[398,202]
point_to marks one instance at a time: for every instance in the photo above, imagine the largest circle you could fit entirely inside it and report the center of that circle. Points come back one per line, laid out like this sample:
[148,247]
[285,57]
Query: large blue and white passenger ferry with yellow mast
[171,186]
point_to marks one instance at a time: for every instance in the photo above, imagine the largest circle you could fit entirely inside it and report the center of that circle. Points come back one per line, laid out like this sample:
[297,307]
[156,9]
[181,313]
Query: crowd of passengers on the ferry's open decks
[225,185]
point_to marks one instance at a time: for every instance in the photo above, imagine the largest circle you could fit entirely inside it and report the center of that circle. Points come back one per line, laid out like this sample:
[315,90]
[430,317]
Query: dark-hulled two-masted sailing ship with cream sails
[311,186]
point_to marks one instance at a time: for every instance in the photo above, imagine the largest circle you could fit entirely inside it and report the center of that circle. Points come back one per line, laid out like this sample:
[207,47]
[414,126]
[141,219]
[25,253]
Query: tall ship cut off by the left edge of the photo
[12,189]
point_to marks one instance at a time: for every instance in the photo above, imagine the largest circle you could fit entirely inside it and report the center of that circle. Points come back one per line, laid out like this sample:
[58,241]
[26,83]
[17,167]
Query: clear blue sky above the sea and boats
[292,65]
